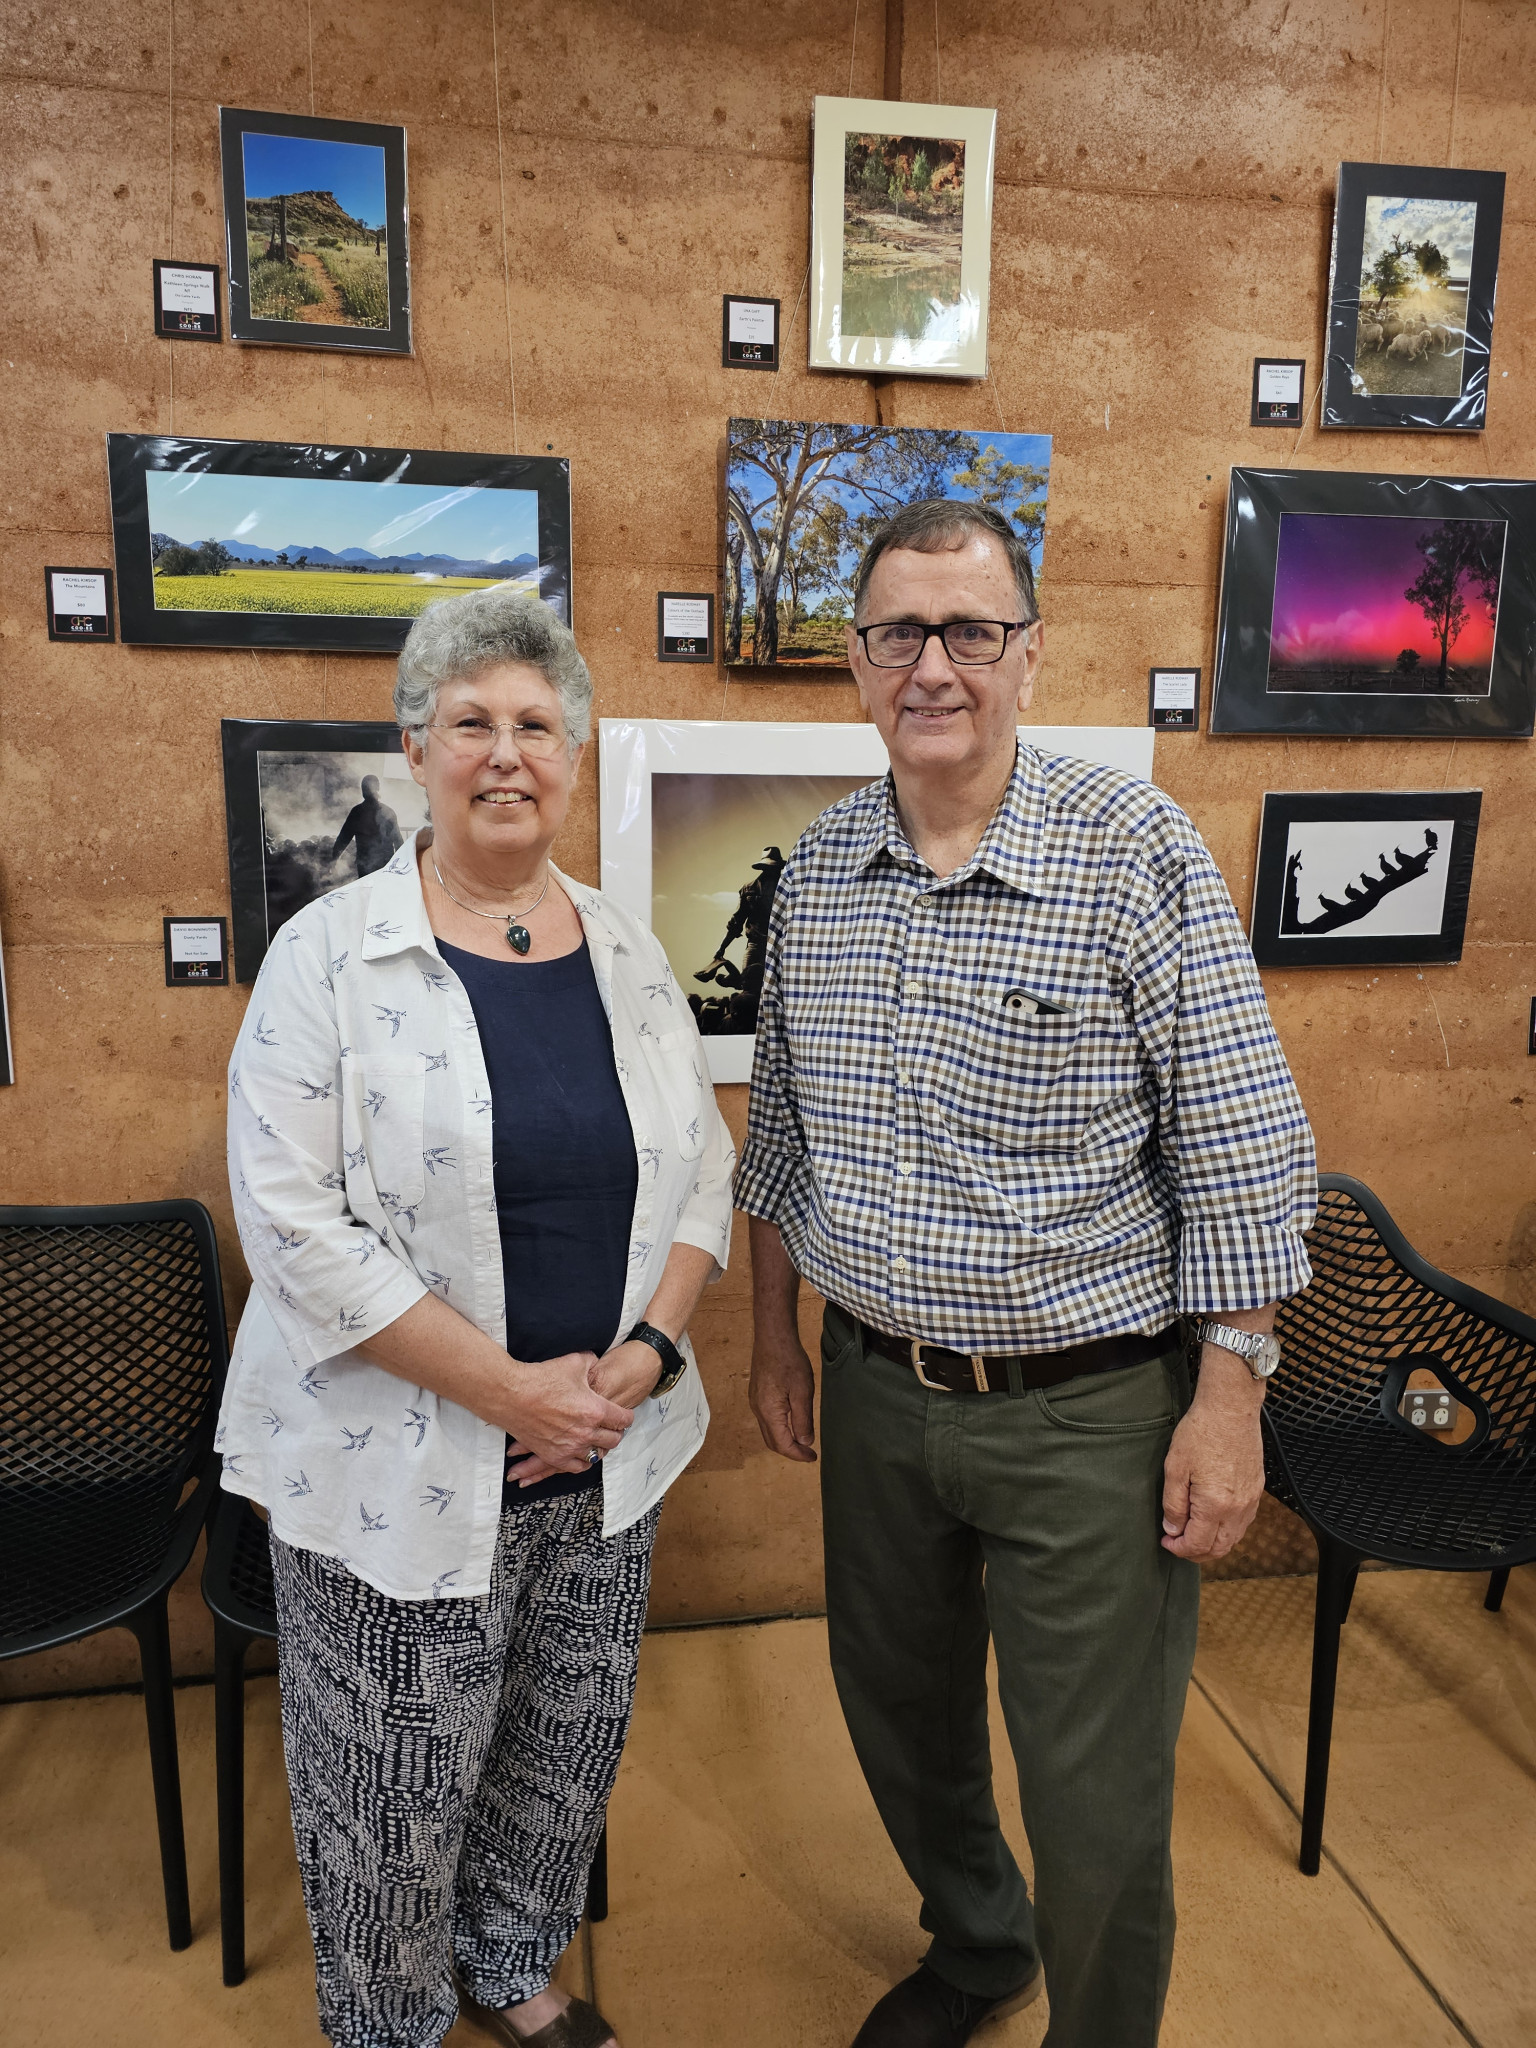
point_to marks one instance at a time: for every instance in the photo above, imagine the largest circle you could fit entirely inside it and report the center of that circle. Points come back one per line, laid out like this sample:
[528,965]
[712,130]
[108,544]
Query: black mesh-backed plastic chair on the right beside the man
[1363,1480]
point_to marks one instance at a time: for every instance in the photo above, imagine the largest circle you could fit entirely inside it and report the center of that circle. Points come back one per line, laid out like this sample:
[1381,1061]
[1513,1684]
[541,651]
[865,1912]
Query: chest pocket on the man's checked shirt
[1002,1080]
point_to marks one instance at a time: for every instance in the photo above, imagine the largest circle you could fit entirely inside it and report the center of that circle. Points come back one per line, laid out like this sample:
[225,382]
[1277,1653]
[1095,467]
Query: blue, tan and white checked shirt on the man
[1119,1148]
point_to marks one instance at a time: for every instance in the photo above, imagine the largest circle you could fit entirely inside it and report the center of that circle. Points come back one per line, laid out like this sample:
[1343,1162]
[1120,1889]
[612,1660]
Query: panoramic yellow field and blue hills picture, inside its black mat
[325,546]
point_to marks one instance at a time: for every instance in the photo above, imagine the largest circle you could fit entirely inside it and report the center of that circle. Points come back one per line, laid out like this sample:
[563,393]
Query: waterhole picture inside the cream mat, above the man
[902,230]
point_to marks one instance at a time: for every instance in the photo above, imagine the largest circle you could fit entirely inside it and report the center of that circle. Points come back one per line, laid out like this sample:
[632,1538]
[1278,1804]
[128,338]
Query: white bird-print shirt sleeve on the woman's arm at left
[325,1275]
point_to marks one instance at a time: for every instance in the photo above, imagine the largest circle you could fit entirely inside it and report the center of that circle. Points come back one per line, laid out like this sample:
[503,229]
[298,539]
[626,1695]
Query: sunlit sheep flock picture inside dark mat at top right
[1414,273]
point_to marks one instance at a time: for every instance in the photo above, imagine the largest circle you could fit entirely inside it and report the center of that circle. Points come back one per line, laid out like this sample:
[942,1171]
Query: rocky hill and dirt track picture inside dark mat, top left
[316,232]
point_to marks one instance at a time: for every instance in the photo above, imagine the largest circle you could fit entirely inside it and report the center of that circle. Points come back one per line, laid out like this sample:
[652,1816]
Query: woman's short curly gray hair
[482,630]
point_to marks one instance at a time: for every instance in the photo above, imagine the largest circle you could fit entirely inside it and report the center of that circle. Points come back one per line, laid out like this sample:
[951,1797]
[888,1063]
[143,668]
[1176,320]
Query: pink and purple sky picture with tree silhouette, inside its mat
[1394,607]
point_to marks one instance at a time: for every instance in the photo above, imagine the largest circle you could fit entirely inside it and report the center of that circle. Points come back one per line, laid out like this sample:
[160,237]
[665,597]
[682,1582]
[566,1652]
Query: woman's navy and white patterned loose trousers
[450,1766]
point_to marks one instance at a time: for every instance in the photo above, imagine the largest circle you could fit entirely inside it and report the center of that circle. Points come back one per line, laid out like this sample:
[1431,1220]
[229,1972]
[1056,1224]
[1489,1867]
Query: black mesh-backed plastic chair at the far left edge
[112,1359]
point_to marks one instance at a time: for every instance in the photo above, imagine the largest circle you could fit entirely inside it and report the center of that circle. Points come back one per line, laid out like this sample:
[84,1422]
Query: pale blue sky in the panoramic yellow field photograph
[474,523]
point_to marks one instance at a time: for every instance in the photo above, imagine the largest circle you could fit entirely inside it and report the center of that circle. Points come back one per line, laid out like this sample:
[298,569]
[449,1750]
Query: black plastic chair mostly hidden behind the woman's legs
[239,1590]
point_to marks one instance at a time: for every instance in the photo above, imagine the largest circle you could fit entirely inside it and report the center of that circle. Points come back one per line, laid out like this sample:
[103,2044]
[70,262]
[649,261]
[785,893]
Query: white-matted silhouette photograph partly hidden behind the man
[699,818]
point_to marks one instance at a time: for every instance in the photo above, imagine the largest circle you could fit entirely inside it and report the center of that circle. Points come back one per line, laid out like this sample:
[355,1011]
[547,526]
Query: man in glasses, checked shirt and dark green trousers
[1021,1115]
